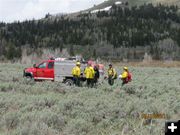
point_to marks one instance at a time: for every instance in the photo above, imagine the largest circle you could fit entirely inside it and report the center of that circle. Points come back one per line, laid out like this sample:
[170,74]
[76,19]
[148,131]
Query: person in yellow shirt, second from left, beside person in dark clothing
[89,73]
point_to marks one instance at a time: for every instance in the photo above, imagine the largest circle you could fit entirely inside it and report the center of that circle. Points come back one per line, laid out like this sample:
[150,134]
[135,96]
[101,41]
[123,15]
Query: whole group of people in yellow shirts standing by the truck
[92,75]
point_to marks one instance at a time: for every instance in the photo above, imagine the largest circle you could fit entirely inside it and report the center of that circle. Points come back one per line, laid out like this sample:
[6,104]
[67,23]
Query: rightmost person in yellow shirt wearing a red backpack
[125,76]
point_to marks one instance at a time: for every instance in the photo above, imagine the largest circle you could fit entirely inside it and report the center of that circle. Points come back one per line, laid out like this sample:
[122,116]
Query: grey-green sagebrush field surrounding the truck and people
[51,108]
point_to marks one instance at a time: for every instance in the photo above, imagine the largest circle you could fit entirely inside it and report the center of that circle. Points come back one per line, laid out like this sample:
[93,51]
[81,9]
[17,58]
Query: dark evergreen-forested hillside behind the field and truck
[123,32]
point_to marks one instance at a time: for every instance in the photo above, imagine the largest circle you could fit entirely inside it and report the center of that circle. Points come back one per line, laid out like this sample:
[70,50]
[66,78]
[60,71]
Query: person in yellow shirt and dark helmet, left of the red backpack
[112,75]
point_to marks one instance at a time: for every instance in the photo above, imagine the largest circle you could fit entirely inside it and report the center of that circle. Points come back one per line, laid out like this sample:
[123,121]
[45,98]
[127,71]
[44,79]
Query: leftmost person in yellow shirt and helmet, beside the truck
[76,72]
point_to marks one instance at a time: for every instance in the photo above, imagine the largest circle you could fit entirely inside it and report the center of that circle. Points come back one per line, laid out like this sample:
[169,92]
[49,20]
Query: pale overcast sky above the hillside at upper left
[13,10]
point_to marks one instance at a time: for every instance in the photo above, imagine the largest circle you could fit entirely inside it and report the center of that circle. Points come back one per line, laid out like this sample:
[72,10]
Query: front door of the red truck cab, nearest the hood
[40,71]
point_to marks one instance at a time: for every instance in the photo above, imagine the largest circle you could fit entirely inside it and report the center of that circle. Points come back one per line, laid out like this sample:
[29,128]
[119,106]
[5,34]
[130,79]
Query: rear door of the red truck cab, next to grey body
[49,72]
